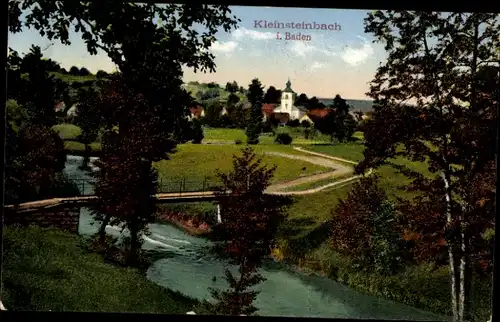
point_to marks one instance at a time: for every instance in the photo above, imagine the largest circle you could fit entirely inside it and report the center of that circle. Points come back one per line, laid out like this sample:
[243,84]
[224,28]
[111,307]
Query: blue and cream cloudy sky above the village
[326,63]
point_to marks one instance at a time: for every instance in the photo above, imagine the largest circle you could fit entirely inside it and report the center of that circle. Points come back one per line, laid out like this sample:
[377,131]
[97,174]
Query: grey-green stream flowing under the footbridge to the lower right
[183,265]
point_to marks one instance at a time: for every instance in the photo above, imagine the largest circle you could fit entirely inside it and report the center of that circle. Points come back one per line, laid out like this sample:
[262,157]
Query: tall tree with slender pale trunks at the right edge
[435,60]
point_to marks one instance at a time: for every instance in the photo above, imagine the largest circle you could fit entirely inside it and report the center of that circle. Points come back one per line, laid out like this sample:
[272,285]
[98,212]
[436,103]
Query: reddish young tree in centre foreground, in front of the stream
[247,232]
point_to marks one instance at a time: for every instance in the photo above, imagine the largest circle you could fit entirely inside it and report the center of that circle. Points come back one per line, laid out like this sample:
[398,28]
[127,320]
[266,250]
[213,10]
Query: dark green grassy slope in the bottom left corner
[46,269]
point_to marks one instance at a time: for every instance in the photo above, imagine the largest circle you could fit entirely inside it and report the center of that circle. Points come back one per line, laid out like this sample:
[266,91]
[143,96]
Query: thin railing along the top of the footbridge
[165,184]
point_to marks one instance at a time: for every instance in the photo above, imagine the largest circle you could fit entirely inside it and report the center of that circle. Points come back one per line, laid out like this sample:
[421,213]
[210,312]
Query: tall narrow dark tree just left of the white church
[255,96]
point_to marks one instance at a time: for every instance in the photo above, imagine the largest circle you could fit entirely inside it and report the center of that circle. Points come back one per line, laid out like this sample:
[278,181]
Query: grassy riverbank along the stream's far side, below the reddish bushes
[424,287]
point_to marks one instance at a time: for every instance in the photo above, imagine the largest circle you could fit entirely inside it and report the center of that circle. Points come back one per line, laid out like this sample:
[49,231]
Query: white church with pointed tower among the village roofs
[286,111]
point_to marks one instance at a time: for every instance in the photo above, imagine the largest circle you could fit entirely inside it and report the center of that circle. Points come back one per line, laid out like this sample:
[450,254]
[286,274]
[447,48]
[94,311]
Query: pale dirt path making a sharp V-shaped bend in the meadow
[338,170]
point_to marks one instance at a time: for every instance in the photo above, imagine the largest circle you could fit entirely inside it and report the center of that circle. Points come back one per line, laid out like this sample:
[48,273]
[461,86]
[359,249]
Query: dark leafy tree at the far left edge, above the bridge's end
[35,155]
